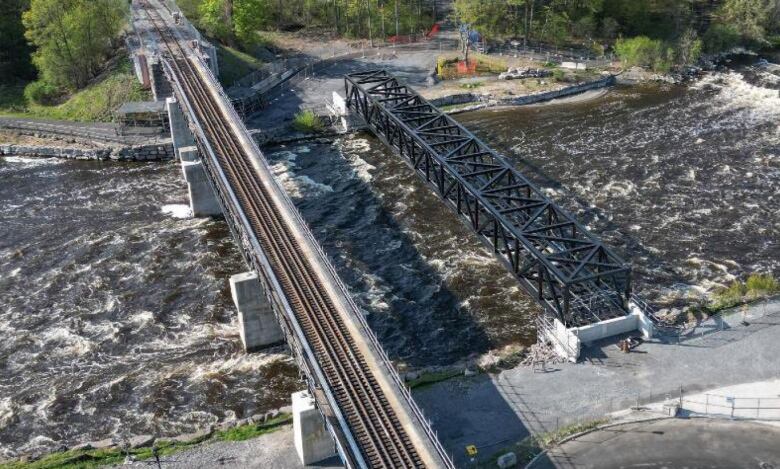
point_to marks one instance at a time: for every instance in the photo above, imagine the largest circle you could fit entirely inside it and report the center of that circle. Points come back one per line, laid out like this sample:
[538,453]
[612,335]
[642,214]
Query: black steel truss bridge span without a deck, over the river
[567,269]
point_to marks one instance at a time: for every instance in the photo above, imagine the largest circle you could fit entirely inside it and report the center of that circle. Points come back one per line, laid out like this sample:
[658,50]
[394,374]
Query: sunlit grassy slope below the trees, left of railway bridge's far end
[96,102]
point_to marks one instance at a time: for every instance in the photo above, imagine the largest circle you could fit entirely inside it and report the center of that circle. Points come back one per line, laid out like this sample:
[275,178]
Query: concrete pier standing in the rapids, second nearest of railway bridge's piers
[258,325]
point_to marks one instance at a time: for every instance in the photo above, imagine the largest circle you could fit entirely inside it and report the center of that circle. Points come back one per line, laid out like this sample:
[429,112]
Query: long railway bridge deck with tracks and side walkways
[366,406]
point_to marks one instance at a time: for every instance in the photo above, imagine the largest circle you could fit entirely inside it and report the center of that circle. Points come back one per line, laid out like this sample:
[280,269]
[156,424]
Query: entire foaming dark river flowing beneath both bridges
[116,316]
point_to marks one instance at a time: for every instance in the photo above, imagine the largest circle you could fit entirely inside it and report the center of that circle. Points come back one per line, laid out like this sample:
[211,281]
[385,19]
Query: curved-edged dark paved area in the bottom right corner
[671,443]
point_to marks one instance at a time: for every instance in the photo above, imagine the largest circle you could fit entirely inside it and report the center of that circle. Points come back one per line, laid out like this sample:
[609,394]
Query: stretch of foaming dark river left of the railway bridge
[116,316]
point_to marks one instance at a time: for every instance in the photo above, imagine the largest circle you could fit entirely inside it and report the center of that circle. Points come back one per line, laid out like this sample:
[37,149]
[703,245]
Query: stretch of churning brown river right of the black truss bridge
[683,180]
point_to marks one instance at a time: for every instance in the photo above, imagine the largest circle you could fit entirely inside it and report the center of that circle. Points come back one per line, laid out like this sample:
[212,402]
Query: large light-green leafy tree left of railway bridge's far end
[74,38]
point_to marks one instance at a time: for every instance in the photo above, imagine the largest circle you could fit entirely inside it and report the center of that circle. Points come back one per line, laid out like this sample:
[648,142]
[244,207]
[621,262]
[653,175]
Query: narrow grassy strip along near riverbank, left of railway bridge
[89,459]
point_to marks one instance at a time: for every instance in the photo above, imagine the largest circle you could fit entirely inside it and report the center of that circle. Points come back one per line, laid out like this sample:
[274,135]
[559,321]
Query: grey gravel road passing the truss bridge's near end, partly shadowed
[494,411]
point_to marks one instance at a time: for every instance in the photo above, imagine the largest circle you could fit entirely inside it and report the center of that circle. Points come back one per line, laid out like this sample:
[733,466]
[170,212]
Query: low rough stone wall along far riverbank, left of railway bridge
[150,152]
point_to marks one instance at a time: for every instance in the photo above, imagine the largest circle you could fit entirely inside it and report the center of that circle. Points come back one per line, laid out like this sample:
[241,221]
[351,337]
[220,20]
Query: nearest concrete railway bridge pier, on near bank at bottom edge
[312,440]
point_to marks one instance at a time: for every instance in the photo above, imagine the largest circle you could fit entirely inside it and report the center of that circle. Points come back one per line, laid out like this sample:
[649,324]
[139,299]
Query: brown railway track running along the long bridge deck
[373,423]
